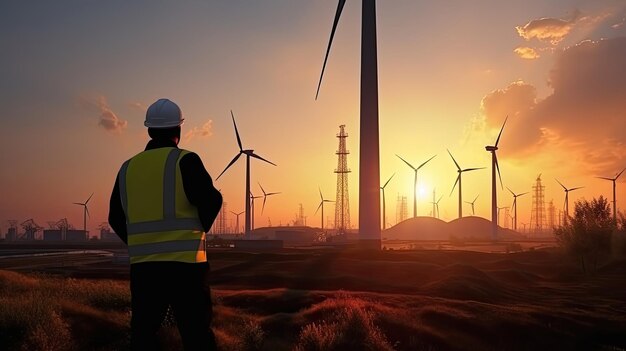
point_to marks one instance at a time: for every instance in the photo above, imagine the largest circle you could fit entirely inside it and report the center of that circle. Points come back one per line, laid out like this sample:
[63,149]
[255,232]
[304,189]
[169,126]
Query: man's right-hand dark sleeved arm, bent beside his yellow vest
[199,189]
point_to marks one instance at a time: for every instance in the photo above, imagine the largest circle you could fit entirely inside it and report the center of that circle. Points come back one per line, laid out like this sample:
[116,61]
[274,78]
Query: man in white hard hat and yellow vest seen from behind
[162,204]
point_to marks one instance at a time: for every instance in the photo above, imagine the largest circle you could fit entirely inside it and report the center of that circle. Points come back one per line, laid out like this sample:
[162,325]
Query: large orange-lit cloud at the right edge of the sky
[585,114]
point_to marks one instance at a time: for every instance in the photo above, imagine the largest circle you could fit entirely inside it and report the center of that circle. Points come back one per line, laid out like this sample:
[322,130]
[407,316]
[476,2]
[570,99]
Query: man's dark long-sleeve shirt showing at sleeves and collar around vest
[198,187]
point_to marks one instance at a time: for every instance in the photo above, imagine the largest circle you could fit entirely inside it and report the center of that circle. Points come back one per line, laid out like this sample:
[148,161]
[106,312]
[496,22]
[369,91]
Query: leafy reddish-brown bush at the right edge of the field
[587,235]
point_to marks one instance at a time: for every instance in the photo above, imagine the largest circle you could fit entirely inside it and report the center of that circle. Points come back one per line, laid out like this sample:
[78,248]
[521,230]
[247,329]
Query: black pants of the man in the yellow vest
[185,287]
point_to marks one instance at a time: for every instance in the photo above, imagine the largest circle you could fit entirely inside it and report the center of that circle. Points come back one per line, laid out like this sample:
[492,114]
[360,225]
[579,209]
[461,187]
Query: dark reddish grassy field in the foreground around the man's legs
[346,300]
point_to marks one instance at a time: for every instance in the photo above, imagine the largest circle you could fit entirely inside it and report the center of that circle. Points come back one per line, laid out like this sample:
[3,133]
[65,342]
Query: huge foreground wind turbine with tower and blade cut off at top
[369,158]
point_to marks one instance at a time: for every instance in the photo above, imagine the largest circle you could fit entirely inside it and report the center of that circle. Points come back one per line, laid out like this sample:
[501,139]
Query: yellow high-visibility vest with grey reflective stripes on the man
[162,225]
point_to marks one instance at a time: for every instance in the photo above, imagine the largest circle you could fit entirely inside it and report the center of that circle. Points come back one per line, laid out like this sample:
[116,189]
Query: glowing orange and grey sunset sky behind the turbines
[77,77]
